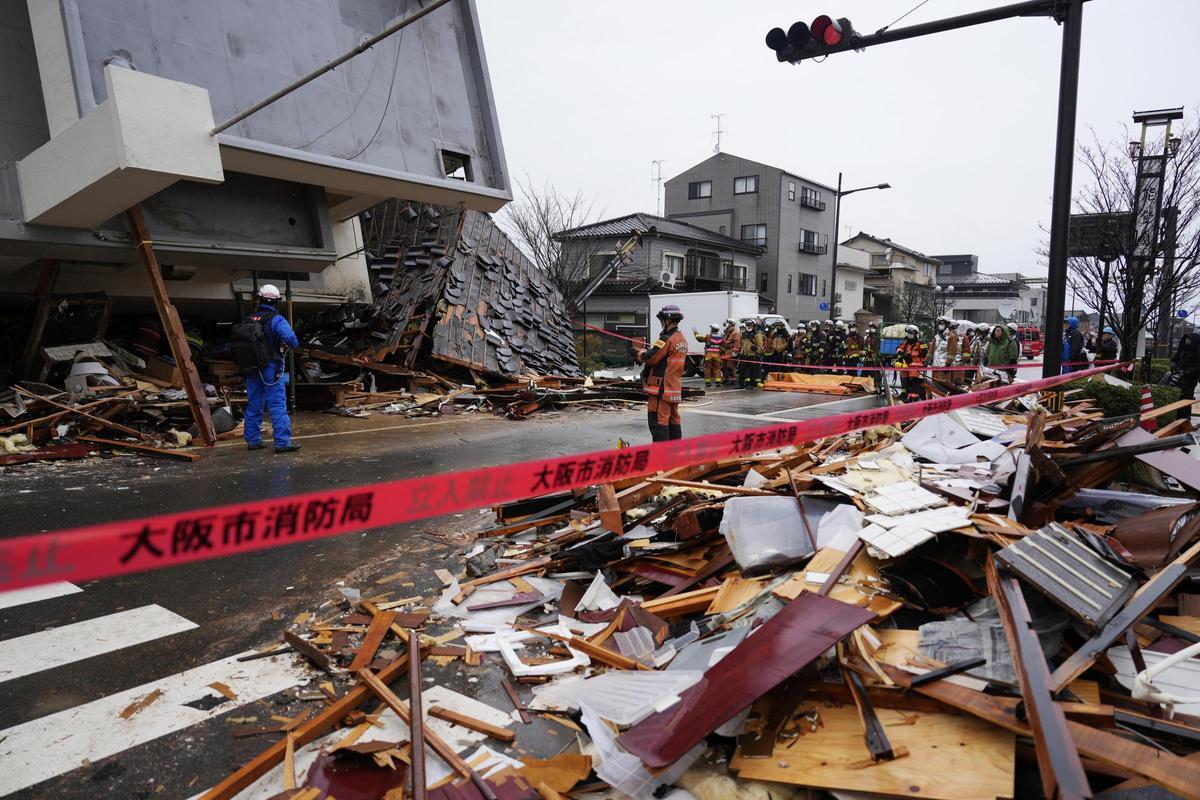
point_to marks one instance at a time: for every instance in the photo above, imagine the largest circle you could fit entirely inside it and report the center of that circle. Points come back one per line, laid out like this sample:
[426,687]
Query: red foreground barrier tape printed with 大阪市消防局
[167,540]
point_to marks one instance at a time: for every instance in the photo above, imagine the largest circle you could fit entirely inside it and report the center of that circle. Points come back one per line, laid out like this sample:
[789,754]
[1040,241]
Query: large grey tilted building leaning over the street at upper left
[106,110]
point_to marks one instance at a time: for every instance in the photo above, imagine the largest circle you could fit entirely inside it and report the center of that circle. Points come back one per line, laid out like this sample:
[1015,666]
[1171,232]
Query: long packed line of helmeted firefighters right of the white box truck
[742,356]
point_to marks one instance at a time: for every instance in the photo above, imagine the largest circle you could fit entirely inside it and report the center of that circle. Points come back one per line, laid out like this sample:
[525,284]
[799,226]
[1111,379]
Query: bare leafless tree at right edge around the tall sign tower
[1139,290]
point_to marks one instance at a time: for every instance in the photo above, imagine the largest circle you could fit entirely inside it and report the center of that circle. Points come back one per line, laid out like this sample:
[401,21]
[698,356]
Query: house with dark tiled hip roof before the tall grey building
[681,258]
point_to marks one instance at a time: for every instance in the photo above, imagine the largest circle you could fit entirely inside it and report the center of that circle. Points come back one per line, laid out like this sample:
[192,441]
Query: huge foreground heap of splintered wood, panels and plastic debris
[993,603]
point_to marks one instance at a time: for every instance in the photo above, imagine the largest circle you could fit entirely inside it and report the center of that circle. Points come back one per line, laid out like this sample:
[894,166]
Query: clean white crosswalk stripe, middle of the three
[26,655]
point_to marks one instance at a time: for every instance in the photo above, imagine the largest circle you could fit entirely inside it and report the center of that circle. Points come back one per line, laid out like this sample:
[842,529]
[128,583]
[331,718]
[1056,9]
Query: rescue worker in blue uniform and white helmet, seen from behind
[268,388]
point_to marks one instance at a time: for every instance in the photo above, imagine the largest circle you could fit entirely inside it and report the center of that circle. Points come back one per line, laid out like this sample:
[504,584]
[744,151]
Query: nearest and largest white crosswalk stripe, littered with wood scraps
[50,747]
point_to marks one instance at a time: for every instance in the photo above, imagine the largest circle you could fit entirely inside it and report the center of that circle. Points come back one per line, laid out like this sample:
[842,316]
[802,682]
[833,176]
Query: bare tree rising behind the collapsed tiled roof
[537,219]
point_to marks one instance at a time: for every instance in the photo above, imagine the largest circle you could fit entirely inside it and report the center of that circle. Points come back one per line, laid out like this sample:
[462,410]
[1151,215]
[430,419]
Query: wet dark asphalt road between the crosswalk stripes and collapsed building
[244,603]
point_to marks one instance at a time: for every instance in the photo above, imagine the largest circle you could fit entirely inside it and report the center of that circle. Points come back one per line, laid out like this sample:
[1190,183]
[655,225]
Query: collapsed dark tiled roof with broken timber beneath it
[460,314]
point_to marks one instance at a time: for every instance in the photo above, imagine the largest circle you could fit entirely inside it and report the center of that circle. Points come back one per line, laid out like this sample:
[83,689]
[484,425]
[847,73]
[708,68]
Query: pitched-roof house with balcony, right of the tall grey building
[901,280]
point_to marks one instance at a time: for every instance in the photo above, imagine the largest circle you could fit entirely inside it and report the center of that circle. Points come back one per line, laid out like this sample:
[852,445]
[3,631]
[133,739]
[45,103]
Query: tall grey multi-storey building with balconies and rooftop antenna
[789,216]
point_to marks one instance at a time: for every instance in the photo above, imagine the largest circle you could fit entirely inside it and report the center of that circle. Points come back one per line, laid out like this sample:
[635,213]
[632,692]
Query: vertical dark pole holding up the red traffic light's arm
[1072,19]
